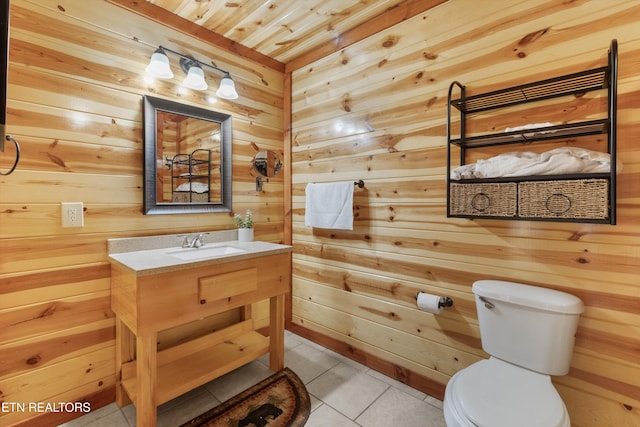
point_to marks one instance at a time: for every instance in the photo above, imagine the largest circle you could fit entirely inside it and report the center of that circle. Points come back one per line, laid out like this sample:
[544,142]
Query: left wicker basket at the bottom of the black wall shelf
[498,200]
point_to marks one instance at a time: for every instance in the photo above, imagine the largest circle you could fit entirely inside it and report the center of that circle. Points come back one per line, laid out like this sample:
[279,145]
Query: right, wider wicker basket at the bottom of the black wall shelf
[576,199]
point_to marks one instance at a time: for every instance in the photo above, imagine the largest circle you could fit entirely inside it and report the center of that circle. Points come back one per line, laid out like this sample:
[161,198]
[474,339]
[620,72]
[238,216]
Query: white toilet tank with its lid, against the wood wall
[527,326]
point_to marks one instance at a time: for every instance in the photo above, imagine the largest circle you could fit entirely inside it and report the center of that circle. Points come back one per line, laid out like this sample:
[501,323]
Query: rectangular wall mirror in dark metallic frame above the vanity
[187,158]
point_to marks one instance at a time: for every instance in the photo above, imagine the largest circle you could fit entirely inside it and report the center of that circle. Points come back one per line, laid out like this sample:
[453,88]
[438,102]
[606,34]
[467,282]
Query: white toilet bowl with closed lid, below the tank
[493,393]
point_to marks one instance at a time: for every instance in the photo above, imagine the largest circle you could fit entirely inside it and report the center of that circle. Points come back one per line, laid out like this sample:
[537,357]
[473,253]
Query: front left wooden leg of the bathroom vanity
[146,377]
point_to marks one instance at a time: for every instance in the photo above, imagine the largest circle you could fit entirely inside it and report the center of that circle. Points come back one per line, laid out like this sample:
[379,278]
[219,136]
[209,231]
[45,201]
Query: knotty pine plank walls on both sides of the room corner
[374,111]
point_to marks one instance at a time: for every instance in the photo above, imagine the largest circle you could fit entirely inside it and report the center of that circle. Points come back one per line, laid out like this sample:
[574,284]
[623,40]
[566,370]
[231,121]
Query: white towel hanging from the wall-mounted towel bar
[329,205]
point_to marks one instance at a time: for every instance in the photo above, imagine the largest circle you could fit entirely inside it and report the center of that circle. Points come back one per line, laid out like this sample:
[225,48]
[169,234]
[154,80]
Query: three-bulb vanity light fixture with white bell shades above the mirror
[159,67]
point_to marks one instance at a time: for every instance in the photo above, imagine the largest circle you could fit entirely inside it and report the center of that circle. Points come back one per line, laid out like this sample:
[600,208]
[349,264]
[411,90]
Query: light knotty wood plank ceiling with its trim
[284,30]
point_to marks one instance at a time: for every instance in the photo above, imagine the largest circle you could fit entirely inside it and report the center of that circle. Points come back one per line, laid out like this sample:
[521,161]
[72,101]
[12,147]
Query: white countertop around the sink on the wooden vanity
[155,261]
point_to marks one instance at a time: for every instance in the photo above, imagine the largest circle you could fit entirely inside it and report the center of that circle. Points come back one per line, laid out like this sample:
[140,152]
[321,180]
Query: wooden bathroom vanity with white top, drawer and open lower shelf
[151,298]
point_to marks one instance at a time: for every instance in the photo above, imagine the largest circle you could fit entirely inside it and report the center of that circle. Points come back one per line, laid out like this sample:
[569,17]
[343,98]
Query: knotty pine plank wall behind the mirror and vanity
[75,92]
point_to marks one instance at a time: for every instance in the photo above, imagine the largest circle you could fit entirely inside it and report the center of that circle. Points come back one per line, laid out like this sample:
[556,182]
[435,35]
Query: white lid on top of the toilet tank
[529,296]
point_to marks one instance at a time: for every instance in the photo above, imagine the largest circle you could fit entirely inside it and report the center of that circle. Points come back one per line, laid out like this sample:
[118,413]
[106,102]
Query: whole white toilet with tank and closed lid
[529,333]
